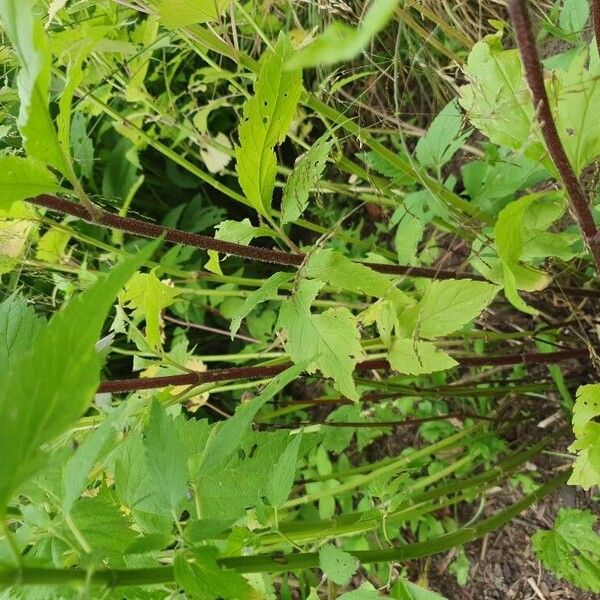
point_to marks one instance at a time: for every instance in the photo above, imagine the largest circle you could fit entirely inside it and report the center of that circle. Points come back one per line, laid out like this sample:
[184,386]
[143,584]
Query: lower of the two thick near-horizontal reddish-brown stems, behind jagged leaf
[261,372]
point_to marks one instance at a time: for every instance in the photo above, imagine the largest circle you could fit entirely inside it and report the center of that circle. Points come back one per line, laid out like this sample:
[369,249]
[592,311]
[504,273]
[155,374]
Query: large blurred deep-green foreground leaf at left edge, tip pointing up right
[54,380]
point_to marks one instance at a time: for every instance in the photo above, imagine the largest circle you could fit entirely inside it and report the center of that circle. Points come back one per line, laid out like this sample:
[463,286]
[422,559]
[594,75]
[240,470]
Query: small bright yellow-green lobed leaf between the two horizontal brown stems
[148,296]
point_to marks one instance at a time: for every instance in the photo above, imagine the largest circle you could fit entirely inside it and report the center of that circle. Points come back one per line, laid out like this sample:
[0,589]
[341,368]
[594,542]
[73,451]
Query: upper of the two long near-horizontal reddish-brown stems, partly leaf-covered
[176,236]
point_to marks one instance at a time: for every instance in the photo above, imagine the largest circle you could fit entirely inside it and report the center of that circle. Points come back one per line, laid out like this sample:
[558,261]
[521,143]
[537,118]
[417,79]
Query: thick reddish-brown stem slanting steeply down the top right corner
[579,206]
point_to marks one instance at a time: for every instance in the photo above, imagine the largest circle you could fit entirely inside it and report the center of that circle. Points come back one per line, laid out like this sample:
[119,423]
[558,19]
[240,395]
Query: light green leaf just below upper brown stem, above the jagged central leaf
[334,268]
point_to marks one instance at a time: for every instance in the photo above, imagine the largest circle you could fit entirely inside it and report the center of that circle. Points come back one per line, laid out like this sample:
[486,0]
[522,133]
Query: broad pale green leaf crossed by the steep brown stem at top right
[498,102]
